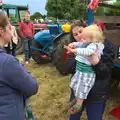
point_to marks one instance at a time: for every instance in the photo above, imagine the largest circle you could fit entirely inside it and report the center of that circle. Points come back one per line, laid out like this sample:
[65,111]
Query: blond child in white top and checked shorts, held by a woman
[83,80]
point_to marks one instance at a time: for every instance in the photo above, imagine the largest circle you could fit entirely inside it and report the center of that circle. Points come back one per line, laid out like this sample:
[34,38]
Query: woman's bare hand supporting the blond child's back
[94,59]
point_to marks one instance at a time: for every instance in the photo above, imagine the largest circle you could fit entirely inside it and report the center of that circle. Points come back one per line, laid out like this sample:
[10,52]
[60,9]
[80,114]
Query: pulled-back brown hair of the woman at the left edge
[3,20]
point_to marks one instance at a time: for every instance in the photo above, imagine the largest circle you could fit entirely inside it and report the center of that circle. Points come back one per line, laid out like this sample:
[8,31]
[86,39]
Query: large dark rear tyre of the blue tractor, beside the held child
[59,52]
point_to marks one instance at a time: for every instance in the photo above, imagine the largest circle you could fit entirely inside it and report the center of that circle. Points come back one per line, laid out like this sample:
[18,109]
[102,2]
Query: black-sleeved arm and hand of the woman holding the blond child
[105,65]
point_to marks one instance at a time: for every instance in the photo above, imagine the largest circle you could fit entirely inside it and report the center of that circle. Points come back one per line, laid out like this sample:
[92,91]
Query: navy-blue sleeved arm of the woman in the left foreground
[16,76]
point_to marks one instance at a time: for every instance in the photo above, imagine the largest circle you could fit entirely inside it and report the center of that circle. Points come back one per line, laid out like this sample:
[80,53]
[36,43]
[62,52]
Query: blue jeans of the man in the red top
[27,49]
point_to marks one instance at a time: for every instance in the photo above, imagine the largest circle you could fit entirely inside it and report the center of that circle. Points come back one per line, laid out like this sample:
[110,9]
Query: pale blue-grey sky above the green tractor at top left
[34,5]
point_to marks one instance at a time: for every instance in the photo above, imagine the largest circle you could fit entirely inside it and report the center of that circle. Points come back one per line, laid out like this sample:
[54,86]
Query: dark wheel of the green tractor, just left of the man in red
[19,48]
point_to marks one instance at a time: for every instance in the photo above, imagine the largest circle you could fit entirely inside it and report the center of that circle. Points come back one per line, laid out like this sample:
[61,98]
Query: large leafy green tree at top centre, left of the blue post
[66,9]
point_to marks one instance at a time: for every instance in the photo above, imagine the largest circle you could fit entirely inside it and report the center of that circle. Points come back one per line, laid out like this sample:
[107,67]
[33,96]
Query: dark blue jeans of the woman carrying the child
[94,110]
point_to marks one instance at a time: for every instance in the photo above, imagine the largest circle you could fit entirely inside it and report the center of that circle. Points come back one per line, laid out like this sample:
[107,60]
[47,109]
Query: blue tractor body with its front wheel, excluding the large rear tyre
[42,46]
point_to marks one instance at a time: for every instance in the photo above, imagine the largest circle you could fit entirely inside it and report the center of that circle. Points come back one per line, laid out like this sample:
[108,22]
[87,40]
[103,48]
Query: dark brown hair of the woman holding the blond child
[79,23]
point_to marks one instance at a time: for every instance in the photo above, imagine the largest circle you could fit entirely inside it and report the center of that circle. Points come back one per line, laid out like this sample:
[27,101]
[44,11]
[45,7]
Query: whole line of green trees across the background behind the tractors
[72,9]
